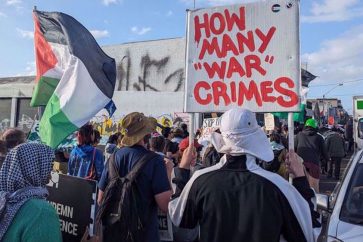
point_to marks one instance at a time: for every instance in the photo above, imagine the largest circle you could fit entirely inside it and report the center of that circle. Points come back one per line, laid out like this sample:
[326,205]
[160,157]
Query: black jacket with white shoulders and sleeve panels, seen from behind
[236,200]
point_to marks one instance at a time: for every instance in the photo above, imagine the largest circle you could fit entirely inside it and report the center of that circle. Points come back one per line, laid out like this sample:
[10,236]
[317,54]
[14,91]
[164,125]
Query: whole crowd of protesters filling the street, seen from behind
[233,187]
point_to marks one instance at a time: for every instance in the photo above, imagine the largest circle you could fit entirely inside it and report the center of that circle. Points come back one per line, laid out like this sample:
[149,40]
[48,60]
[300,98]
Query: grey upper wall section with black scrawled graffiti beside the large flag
[150,66]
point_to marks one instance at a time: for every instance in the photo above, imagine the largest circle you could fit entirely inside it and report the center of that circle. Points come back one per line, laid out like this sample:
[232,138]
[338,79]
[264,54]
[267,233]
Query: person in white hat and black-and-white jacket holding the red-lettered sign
[236,200]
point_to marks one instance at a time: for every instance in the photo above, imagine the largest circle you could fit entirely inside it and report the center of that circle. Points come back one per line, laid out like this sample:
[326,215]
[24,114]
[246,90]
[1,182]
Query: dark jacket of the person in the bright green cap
[310,146]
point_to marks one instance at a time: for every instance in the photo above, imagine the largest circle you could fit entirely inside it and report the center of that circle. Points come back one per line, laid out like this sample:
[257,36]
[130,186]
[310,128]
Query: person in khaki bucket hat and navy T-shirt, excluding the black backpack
[152,182]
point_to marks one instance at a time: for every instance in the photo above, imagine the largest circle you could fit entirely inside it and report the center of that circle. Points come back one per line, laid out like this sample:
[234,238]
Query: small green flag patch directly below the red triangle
[43,91]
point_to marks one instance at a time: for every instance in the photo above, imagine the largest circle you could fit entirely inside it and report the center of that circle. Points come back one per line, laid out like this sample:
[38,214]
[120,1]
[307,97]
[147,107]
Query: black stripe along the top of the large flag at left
[63,29]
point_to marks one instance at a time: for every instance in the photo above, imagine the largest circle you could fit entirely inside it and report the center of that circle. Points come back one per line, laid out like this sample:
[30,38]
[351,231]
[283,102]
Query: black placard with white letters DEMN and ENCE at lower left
[74,200]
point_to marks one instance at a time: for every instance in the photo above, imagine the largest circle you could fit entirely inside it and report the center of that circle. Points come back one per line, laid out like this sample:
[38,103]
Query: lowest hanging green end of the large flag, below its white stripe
[55,126]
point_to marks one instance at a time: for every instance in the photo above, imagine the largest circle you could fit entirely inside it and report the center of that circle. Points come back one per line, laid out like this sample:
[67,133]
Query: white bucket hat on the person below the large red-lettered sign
[240,134]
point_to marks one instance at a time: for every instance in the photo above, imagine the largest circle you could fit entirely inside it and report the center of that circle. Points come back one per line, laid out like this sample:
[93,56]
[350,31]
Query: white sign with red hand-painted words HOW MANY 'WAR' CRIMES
[243,55]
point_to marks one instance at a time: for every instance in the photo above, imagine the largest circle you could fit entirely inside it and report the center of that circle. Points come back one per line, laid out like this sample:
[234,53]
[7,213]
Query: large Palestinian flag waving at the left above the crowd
[75,78]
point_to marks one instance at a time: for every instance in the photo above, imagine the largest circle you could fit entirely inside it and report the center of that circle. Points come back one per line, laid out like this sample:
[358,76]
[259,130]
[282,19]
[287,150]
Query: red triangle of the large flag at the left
[44,56]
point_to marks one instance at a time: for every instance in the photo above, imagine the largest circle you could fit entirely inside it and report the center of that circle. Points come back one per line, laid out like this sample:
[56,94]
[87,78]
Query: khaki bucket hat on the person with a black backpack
[135,126]
